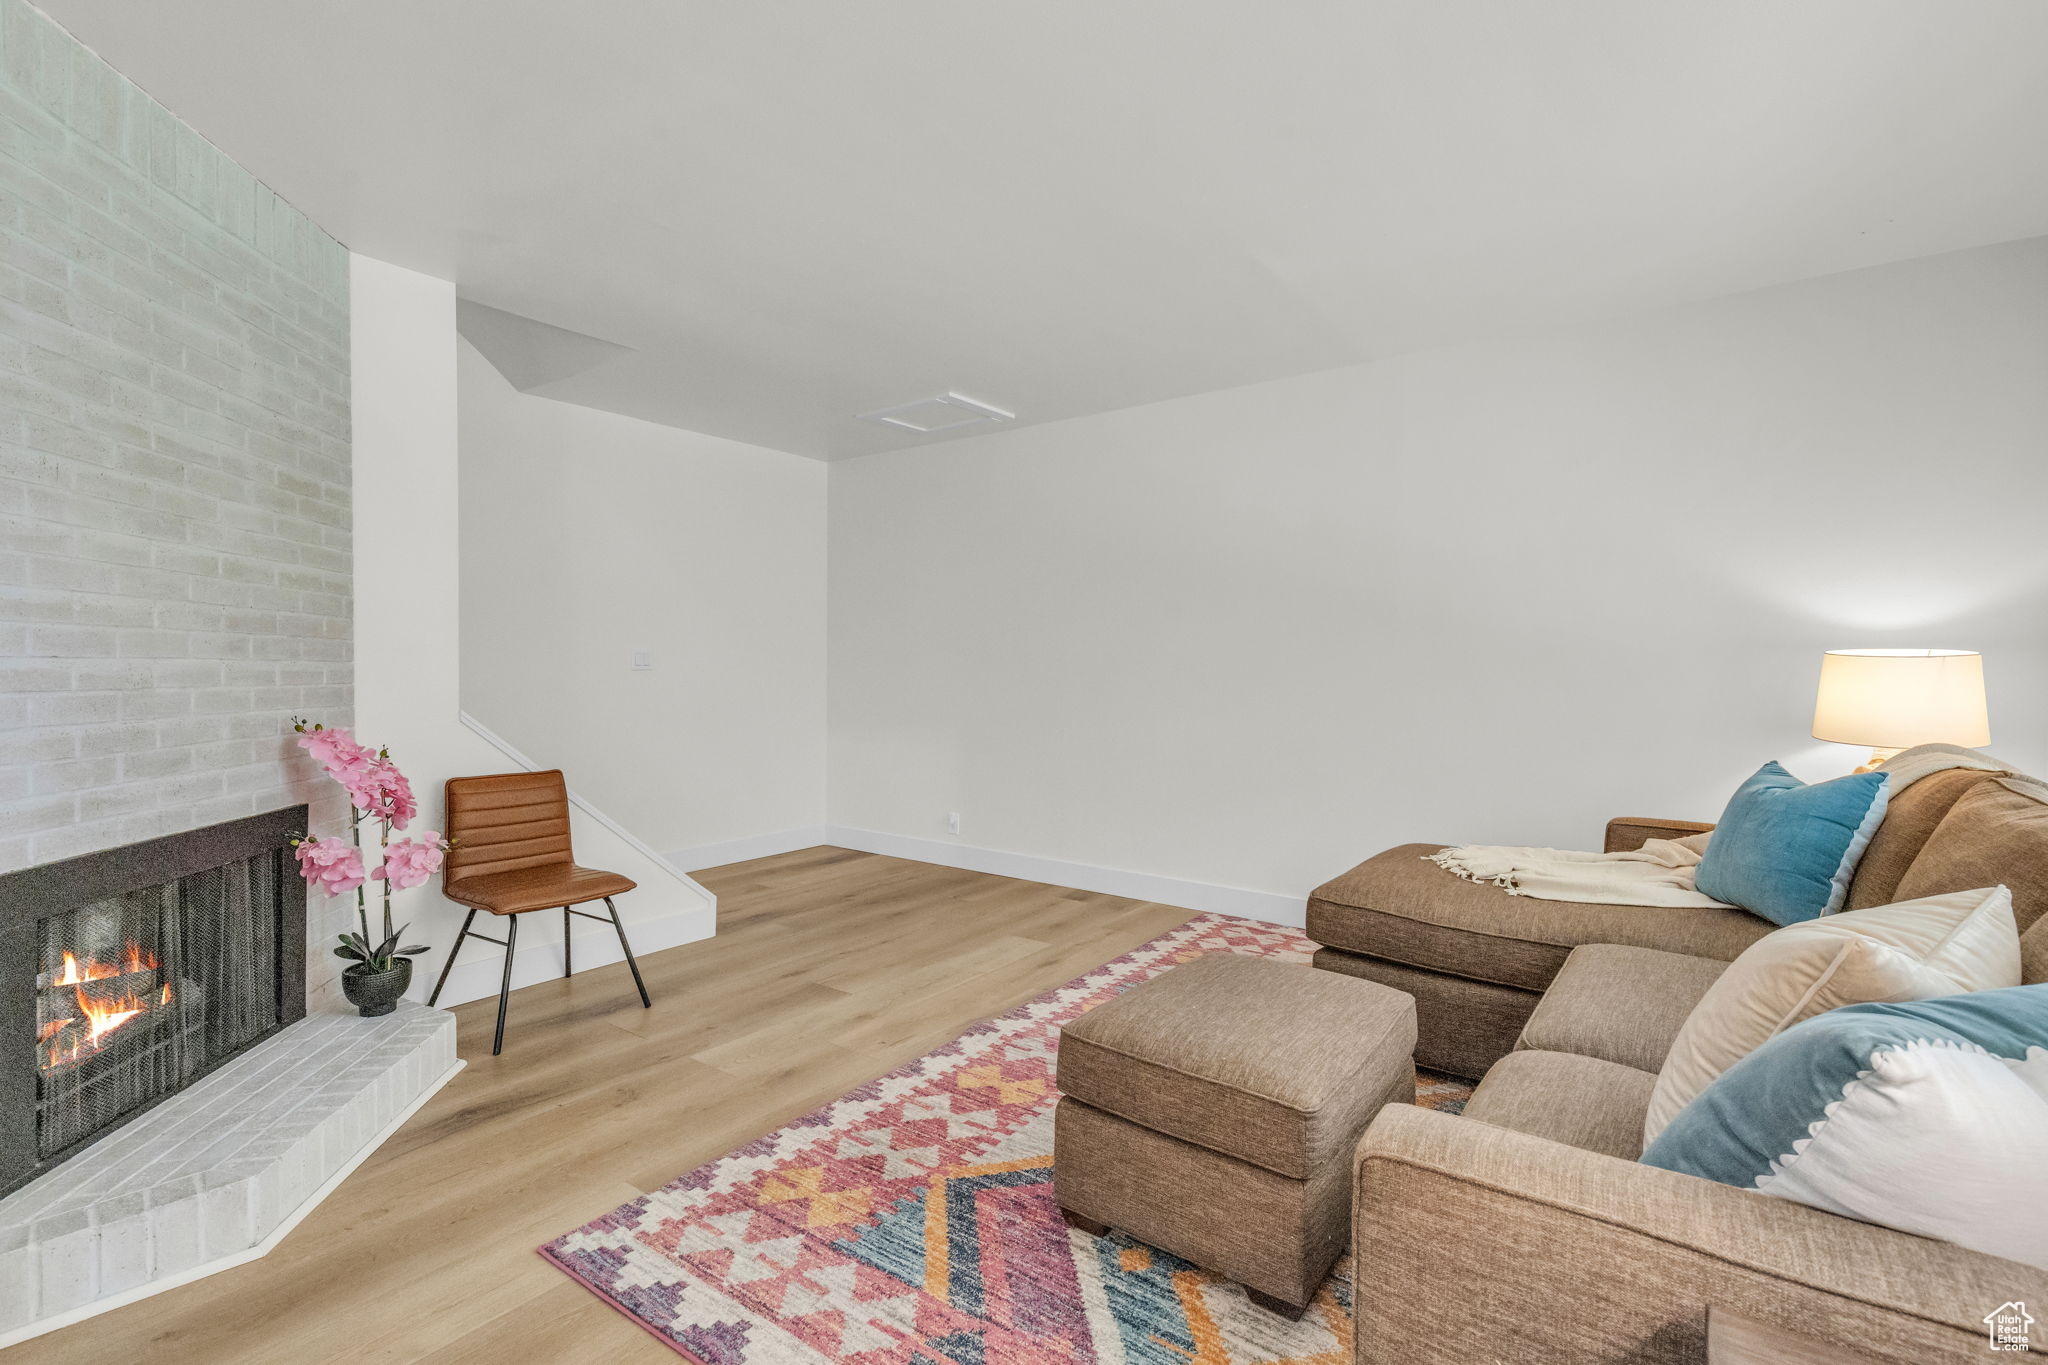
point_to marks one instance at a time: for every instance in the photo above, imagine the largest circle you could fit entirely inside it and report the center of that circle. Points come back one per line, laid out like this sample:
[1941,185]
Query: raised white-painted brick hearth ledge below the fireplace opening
[218,1174]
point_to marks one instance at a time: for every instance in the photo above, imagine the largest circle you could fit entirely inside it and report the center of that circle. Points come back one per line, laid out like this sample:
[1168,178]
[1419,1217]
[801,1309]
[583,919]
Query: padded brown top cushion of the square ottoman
[1273,1063]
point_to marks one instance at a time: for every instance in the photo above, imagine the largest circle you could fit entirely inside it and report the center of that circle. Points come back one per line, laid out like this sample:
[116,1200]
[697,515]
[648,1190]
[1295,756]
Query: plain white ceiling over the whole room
[800,210]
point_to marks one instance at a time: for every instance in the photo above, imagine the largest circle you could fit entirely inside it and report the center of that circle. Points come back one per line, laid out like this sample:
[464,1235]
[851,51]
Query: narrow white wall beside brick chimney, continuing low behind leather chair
[404,388]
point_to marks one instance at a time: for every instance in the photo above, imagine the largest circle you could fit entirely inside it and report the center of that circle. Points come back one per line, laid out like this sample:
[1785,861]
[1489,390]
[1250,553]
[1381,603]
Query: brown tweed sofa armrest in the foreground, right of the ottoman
[1480,1243]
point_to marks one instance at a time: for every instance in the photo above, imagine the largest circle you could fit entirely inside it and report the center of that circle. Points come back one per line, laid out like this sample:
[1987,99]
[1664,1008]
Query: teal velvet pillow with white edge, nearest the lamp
[1785,850]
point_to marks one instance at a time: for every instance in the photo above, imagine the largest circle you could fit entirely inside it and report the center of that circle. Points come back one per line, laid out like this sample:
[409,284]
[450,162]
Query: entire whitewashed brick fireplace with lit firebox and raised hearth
[177,584]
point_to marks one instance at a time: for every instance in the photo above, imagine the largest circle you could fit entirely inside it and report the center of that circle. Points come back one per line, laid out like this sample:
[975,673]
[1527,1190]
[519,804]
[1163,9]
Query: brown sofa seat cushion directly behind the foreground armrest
[1576,1100]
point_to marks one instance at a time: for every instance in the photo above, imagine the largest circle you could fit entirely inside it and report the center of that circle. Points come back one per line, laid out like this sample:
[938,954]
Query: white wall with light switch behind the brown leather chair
[589,535]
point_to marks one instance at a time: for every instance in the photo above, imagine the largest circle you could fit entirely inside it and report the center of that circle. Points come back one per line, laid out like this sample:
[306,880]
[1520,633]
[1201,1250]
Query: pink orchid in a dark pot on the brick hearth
[380,795]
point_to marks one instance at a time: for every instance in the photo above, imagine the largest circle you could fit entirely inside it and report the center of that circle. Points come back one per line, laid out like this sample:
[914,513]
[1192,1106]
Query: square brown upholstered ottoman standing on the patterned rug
[1213,1110]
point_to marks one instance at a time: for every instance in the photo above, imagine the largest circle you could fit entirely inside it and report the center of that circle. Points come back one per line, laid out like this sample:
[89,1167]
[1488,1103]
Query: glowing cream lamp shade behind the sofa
[1895,699]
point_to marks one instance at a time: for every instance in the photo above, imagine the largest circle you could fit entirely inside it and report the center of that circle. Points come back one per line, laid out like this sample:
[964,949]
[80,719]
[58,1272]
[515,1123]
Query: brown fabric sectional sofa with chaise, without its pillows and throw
[1527,1231]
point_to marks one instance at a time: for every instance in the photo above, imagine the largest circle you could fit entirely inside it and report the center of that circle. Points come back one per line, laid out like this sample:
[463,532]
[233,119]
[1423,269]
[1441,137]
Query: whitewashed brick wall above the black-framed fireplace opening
[175,513]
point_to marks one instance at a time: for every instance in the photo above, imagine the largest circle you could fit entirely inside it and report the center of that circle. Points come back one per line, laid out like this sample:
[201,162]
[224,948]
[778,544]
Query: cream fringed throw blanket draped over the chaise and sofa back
[1662,871]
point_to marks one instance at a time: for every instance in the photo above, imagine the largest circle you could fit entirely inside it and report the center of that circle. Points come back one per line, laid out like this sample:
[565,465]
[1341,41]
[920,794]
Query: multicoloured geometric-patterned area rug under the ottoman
[912,1223]
